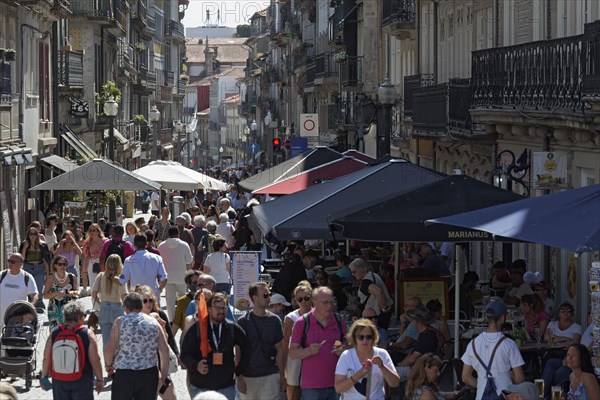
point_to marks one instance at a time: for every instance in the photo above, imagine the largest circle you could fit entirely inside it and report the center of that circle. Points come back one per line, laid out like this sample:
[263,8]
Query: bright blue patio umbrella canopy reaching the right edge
[568,219]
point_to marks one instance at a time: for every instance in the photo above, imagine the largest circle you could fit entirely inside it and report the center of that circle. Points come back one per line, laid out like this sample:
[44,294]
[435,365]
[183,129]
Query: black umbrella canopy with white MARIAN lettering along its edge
[401,217]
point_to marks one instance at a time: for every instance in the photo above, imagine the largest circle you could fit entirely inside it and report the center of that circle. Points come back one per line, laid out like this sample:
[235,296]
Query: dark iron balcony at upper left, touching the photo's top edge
[113,14]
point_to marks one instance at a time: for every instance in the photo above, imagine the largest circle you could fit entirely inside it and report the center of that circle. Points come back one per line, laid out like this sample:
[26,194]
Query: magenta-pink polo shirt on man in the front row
[318,371]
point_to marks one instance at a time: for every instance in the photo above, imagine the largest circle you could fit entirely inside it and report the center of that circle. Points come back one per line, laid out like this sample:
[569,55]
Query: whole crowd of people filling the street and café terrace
[313,333]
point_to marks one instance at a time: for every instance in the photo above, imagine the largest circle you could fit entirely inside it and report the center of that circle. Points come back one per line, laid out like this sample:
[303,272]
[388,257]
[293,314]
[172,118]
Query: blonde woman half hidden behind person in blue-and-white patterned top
[151,307]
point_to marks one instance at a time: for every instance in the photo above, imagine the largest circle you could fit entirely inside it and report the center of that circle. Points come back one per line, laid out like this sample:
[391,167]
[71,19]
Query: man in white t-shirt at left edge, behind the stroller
[15,284]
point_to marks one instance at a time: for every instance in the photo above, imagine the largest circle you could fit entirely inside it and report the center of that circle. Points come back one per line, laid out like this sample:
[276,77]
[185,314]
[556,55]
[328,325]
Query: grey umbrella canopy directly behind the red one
[295,165]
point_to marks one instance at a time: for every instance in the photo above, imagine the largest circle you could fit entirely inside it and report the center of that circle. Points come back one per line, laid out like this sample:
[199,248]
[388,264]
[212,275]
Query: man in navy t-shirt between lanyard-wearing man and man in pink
[263,376]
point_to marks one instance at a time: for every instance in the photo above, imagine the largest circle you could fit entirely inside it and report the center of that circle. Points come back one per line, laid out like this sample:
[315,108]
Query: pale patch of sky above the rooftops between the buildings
[232,12]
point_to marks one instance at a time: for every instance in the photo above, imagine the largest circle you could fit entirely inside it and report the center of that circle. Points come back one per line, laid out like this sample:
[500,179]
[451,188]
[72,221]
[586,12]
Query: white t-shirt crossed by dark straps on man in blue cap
[507,357]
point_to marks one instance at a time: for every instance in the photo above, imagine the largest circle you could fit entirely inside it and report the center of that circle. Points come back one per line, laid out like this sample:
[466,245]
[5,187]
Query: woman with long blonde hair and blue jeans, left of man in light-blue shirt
[109,294]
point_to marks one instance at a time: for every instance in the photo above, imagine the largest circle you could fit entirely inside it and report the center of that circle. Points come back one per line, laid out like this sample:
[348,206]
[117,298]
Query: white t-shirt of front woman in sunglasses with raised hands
[349,363]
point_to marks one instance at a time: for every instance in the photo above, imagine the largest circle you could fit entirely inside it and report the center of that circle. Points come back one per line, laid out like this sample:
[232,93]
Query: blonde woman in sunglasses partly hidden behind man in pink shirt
[302,301]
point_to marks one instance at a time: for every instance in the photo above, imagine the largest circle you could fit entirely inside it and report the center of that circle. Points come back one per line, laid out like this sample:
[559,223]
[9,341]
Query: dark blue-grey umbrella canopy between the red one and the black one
[306,214]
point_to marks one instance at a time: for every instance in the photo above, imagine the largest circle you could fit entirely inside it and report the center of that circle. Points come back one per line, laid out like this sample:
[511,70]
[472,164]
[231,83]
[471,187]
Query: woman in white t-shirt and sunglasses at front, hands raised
[364,361]
